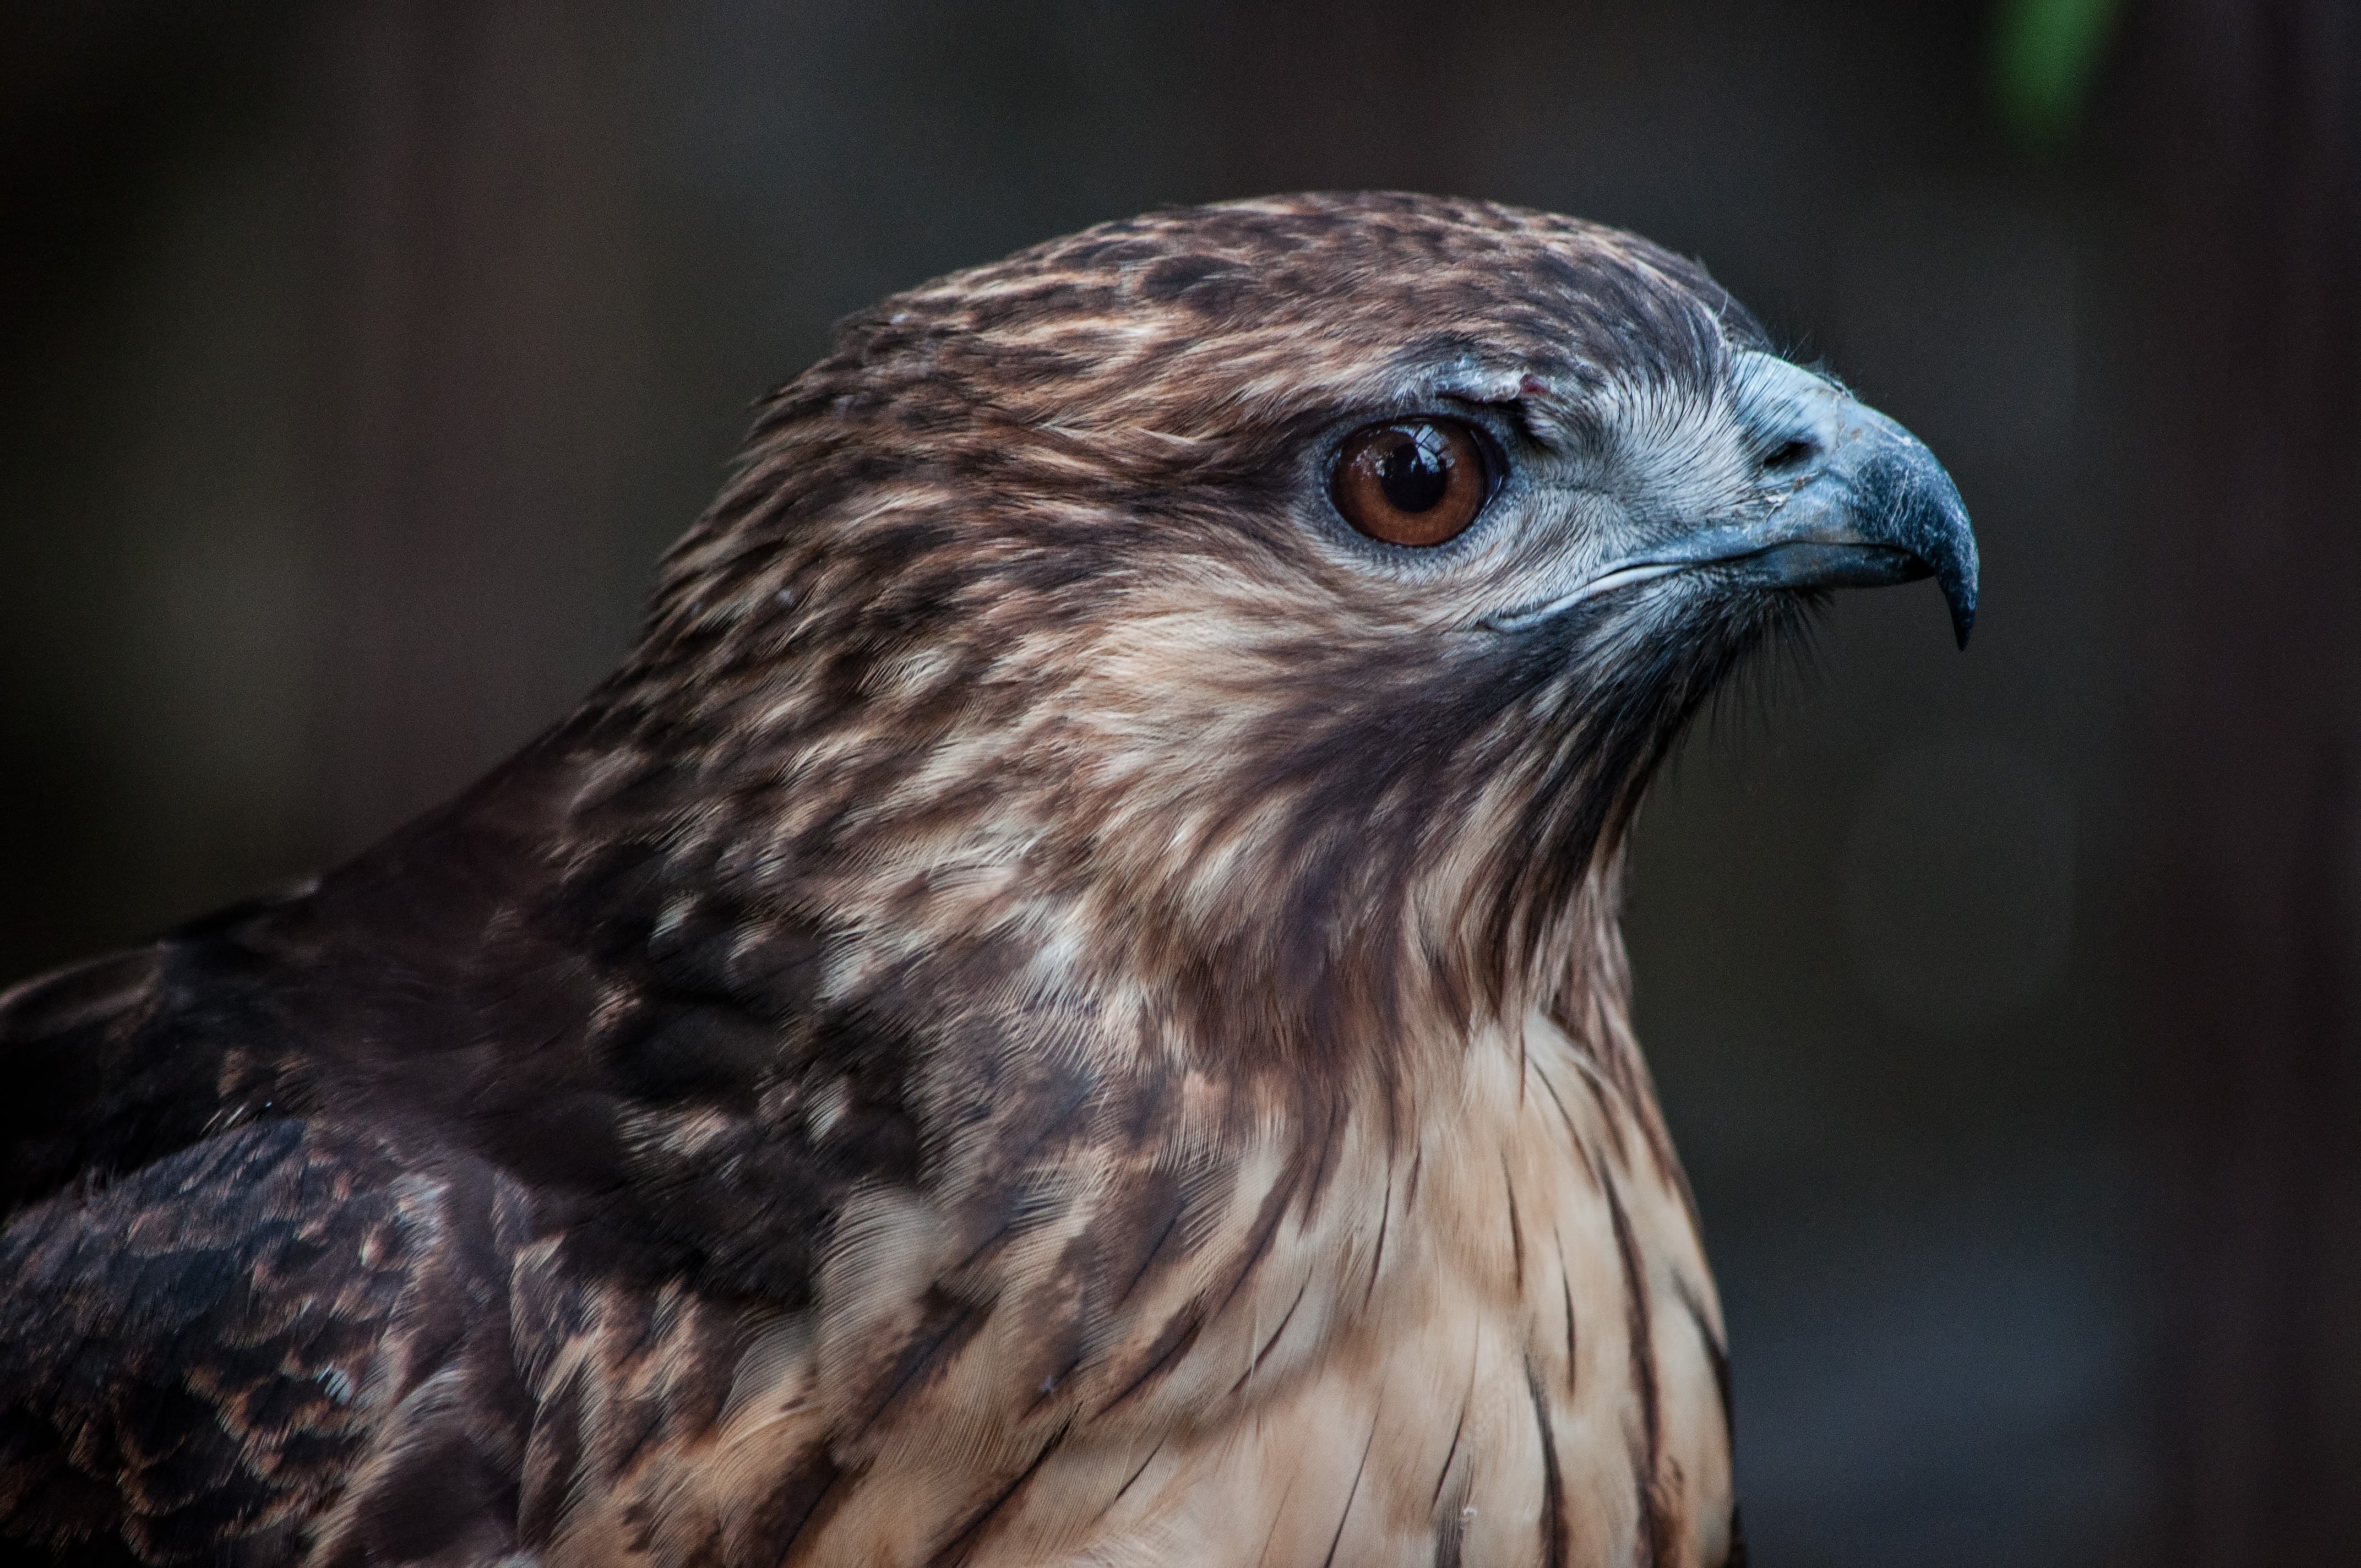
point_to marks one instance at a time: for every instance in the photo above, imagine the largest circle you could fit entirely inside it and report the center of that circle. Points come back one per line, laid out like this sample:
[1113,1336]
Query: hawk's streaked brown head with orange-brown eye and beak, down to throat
[1257,620]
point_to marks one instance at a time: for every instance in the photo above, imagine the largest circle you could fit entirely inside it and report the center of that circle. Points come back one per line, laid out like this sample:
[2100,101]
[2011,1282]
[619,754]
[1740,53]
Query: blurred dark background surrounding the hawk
[360,360]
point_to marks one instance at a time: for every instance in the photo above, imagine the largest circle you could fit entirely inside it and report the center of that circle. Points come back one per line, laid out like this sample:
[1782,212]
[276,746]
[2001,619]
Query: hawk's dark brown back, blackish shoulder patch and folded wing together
[268,1187]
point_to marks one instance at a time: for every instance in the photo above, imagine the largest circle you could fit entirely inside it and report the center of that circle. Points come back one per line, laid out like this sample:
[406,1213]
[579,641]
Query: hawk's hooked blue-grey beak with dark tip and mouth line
[1866,507]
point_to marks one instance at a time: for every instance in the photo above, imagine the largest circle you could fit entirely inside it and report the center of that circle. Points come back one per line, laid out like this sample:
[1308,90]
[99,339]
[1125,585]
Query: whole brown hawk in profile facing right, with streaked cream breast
[1061,1007]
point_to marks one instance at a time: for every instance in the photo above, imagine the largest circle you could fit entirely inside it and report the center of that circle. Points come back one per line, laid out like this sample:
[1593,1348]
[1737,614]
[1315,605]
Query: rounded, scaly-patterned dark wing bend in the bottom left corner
[185,1350]
